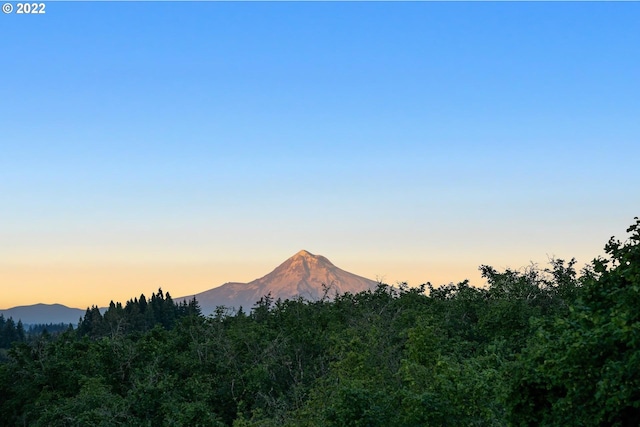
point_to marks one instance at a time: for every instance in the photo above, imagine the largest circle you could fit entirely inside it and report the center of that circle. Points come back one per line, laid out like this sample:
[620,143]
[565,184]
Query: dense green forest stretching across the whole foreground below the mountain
[539,346]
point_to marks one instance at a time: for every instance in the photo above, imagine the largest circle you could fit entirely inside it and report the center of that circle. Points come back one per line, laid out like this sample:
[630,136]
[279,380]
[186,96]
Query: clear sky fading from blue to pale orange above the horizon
[183,145]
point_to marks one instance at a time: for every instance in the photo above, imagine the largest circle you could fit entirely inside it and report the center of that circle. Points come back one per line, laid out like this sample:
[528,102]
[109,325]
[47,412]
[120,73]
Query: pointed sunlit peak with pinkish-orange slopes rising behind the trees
[304,274]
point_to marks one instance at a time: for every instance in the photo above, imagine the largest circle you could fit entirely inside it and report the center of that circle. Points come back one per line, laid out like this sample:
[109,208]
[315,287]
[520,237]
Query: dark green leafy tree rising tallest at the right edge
[584,369]
